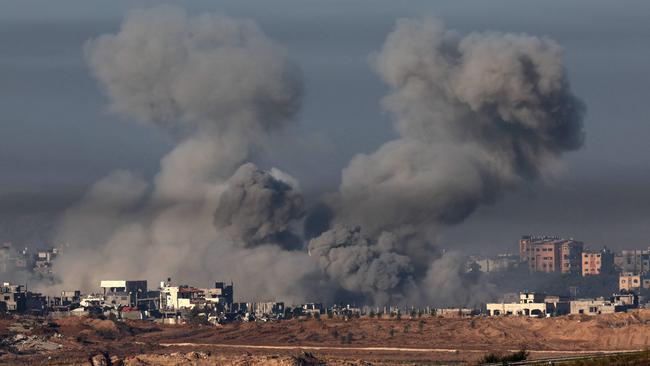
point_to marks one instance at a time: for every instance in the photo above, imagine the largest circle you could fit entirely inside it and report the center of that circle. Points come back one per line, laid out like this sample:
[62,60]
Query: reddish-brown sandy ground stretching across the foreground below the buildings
[386,341]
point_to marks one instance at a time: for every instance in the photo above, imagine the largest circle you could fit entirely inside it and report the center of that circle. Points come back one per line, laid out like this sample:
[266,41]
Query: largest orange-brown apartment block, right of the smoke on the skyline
[551,254]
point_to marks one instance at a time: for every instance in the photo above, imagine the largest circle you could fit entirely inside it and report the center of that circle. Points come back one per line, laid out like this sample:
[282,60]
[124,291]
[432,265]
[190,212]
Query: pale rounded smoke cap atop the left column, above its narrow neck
[166,67]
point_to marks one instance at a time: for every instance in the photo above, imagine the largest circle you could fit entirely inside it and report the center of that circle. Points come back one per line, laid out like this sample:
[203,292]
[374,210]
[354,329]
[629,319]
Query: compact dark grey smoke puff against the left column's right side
[258,208]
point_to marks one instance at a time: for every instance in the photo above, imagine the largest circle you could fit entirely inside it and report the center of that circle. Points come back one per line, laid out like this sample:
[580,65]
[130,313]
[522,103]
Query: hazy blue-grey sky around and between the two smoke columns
[58,137]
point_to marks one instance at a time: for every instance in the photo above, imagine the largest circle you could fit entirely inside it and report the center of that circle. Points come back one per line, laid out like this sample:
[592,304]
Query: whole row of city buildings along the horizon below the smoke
[171,302]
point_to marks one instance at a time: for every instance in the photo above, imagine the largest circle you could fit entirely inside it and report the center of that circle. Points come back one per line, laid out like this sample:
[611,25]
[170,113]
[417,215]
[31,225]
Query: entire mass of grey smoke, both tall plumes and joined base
[477,116]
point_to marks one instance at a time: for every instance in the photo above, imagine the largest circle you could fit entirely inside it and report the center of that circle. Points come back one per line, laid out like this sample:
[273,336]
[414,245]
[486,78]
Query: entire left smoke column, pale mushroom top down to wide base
[220,86]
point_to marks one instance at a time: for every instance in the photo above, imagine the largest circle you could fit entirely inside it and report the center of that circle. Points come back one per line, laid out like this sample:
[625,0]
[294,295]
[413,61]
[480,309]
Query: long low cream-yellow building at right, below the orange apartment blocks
[530,304]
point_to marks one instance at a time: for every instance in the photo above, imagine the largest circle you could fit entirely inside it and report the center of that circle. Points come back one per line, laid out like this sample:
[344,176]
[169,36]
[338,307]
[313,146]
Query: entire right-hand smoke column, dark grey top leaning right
[477,116]
